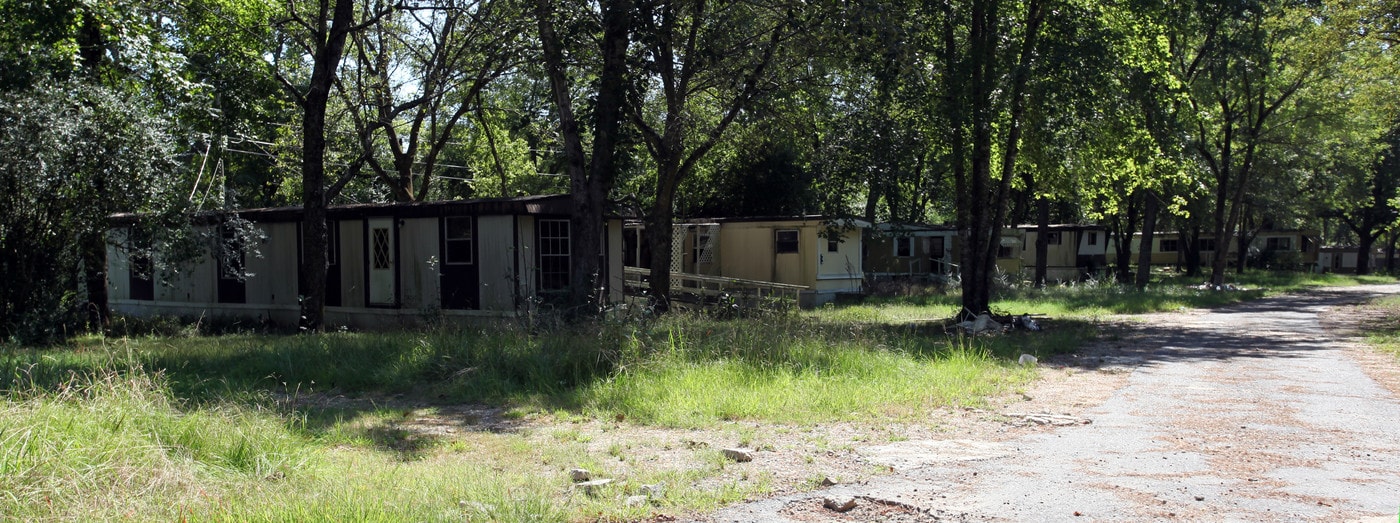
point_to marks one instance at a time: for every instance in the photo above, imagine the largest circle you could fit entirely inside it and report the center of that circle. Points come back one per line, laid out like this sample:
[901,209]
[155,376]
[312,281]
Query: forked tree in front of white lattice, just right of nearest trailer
[703,64]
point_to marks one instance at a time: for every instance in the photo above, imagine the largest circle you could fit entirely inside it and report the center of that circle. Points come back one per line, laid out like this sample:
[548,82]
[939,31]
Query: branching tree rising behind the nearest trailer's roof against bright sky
[414,78]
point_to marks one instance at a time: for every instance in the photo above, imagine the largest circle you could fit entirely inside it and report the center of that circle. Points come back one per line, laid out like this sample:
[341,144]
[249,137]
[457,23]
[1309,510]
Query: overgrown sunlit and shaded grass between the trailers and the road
[171,423]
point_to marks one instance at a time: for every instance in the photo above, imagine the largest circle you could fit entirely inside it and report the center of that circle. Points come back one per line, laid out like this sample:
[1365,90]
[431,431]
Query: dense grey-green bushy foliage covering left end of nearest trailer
[73,155]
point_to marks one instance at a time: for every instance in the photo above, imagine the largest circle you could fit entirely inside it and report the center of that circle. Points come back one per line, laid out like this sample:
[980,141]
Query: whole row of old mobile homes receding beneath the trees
[397,265]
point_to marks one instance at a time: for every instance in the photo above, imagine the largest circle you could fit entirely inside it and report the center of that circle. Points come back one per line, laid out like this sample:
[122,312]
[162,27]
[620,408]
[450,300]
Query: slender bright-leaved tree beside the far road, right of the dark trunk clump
[1237,68]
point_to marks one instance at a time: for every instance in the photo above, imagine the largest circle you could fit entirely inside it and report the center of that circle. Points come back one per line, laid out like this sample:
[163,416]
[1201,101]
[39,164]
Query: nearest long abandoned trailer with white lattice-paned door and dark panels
[390,265]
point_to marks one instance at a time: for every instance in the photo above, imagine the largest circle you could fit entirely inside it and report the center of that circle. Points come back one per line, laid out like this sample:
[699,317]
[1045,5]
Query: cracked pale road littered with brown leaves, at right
[1251,413]
